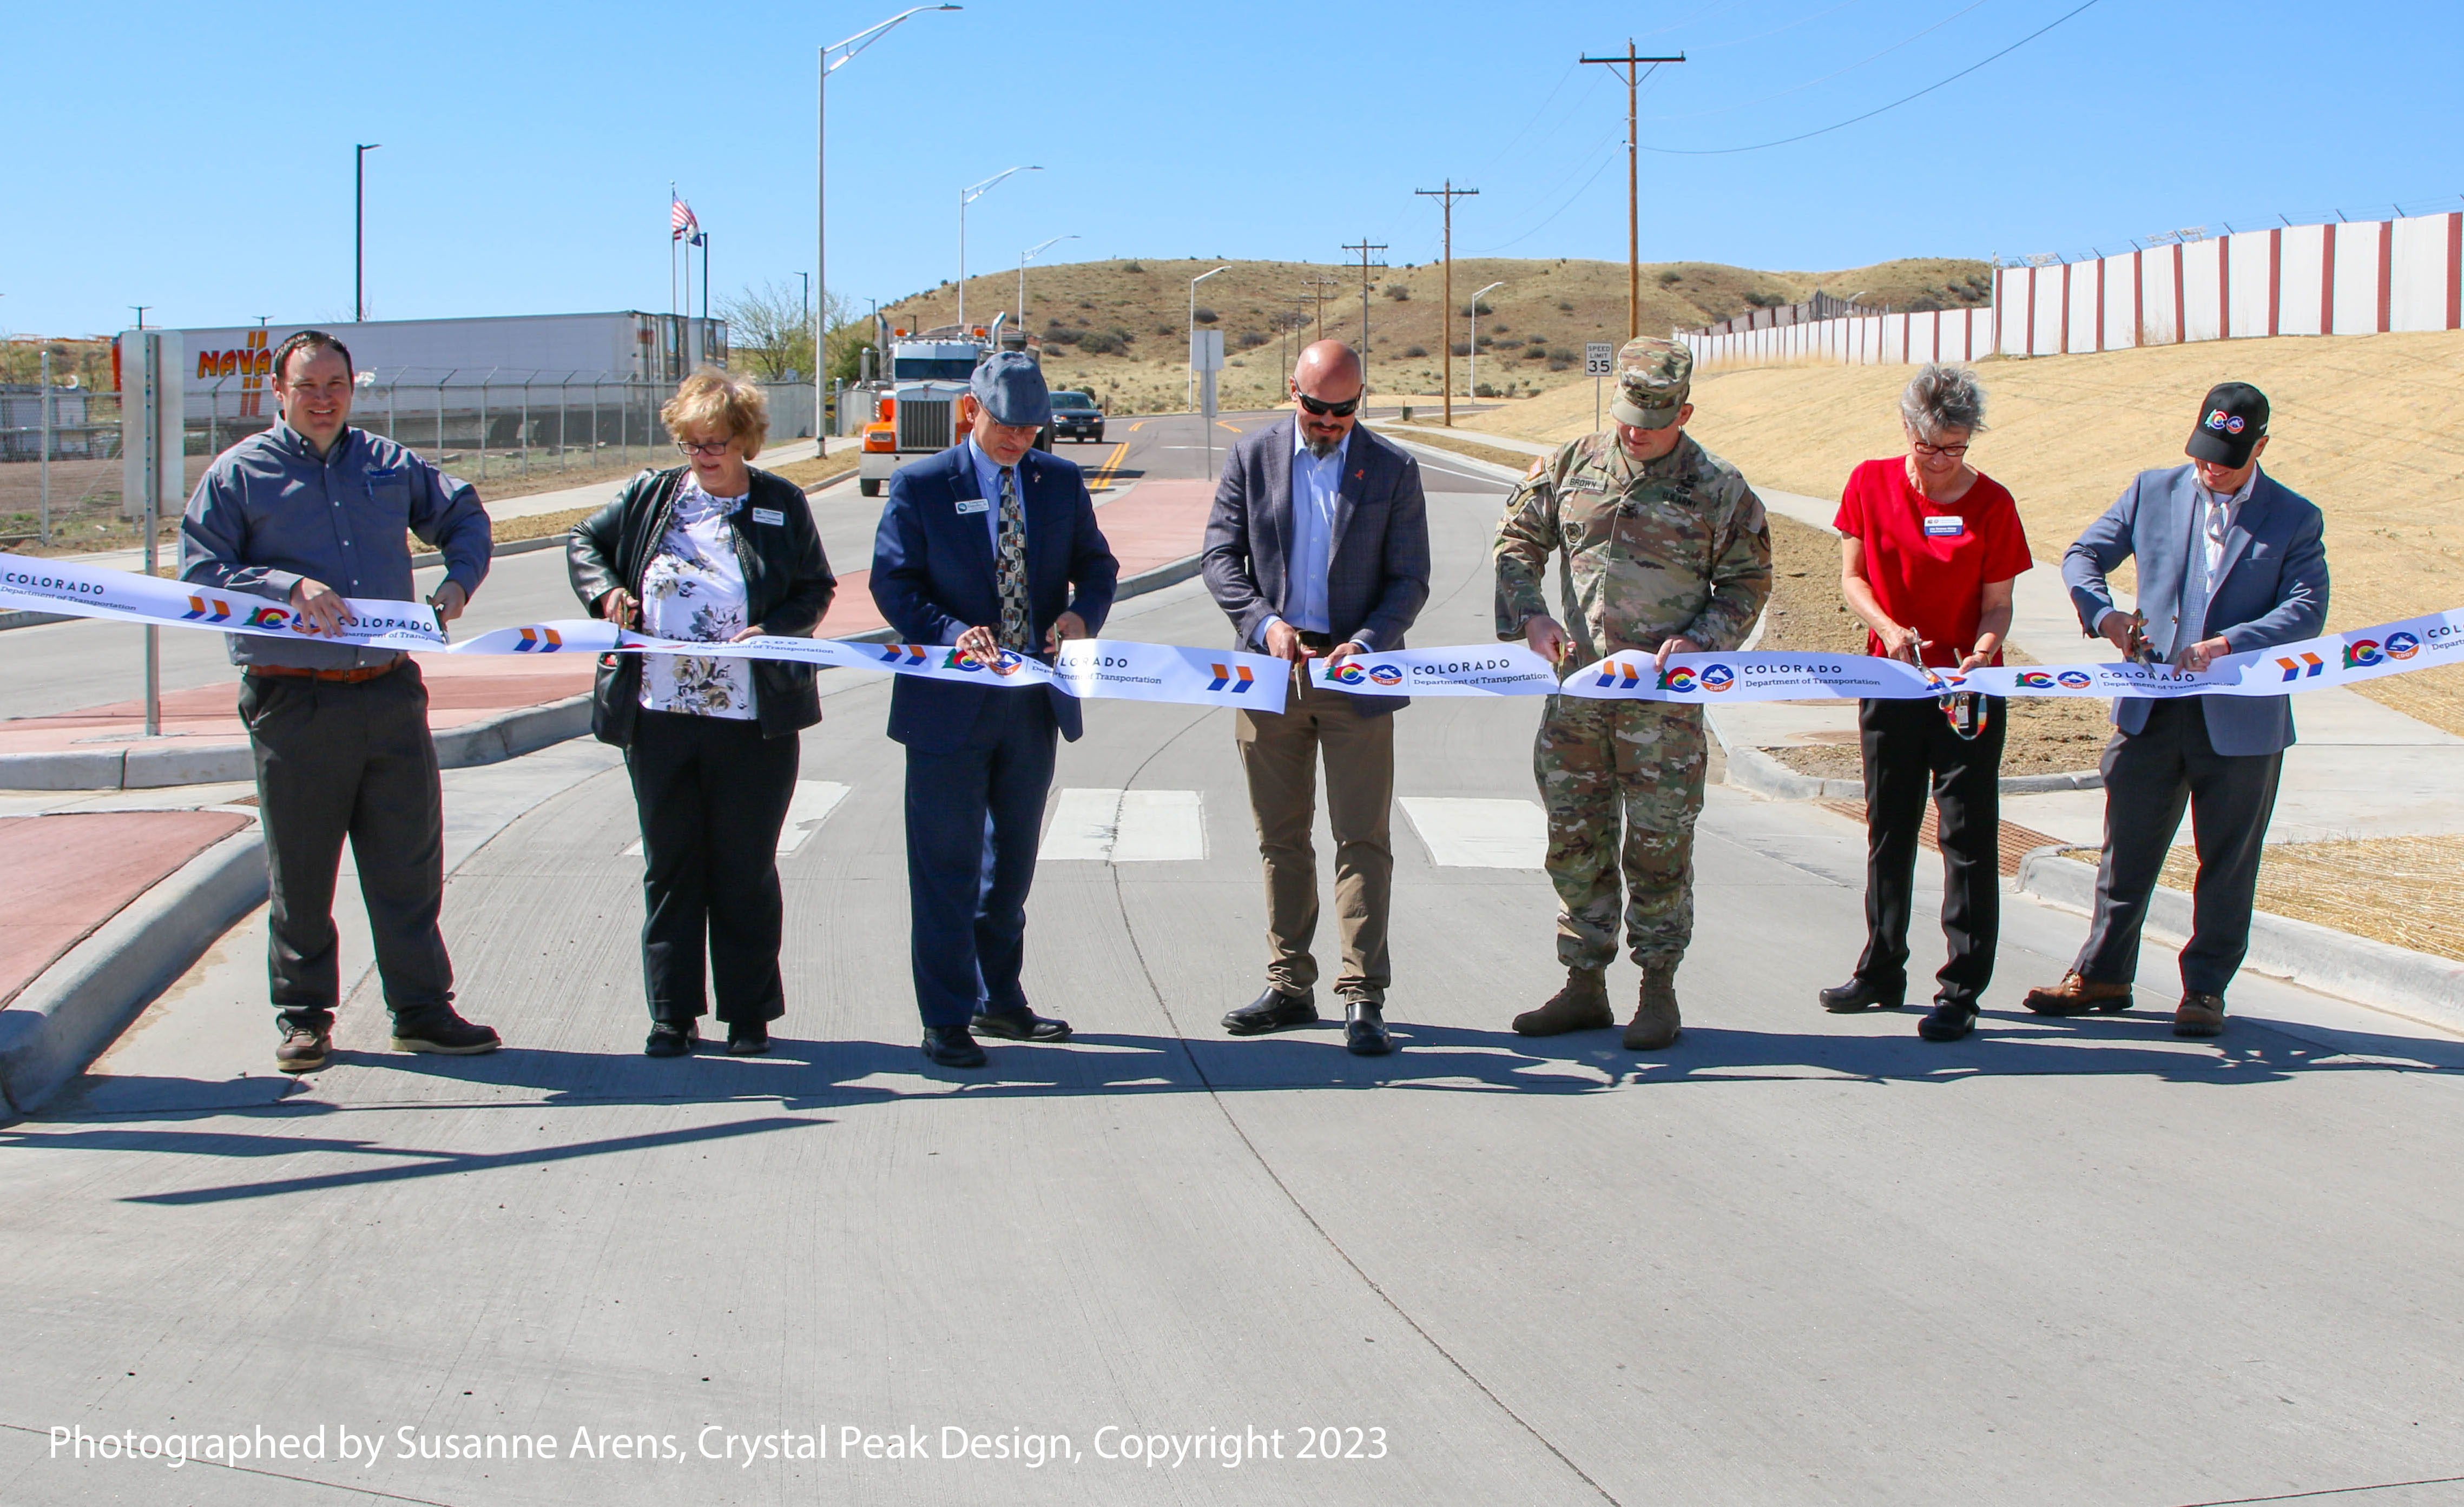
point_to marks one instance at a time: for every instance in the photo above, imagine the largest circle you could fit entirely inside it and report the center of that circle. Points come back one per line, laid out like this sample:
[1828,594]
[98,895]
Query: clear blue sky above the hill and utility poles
[198,156]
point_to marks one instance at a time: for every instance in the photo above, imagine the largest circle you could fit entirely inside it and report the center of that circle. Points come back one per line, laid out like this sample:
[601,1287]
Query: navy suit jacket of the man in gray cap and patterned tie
[933,577]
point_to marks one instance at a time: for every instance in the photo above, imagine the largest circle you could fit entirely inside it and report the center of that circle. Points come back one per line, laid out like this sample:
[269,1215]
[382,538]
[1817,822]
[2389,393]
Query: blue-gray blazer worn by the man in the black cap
[2271,587]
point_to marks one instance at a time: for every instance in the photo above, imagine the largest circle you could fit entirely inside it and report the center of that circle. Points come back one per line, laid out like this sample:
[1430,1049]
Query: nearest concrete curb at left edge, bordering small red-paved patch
[60,1023]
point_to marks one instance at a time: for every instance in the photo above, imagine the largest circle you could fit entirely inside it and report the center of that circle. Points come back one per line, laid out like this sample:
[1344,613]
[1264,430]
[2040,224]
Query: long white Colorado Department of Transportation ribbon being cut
[1228,678]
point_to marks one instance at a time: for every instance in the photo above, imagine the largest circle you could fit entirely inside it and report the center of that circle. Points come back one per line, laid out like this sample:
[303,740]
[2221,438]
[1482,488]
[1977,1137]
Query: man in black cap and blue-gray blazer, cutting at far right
[2229,563]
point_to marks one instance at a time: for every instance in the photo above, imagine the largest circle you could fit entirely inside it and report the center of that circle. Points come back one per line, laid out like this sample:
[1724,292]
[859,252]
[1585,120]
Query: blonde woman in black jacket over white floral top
[711,550]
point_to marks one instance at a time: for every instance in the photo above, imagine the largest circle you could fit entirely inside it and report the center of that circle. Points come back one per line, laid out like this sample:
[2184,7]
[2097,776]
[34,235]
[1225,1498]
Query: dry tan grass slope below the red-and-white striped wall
[2372,425]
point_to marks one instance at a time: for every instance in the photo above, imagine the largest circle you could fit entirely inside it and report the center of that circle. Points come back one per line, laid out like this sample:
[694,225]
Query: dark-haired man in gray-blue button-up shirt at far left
[314,513]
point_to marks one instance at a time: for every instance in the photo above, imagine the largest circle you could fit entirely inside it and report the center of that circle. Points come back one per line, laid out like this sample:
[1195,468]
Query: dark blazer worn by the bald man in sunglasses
[1379,565]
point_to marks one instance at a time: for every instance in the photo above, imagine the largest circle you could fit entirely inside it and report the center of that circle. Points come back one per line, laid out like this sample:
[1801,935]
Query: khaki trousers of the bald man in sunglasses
[1280,752]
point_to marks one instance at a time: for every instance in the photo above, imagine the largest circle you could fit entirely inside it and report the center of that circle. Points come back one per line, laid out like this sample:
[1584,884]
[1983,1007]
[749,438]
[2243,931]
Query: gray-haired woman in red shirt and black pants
[1928,558]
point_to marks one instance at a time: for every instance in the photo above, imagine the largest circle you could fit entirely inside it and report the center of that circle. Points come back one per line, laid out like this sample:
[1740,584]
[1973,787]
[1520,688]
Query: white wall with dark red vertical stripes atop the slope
[2305,279]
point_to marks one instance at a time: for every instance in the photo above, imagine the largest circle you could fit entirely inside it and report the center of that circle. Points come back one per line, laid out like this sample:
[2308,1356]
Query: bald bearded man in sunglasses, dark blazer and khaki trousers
[1319,545]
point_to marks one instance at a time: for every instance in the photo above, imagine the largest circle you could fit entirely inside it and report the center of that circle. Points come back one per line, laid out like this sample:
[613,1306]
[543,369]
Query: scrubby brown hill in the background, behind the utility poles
[1120,326]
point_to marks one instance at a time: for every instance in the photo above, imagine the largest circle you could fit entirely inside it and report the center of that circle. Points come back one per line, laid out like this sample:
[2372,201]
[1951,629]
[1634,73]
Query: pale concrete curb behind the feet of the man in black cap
[2312,957]
